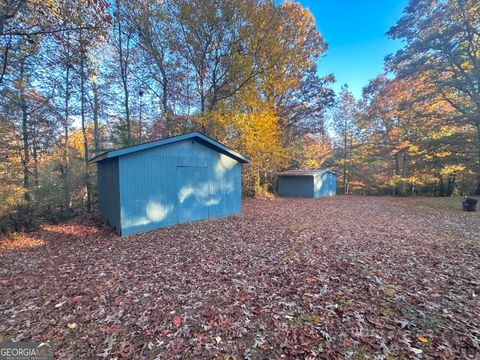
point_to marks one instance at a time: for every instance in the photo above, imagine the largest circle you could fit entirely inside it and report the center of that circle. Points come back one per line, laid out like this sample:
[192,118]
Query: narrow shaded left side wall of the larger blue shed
[108,191]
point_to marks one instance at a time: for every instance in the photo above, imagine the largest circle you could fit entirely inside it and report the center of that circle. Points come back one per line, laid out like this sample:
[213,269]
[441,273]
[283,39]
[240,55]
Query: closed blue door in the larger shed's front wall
[193,191]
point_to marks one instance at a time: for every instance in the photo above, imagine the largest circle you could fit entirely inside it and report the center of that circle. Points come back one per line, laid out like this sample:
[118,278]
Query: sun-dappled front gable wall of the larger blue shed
[175,183]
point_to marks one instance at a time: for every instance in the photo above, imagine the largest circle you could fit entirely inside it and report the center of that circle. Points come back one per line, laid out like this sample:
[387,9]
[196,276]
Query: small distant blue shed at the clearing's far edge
[307,183]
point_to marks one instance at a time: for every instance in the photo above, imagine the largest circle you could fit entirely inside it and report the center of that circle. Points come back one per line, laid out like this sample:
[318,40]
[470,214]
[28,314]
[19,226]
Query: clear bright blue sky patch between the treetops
[355,32]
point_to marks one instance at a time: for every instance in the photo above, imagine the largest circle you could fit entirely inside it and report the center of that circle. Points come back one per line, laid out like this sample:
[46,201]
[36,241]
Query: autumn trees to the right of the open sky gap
[416,129]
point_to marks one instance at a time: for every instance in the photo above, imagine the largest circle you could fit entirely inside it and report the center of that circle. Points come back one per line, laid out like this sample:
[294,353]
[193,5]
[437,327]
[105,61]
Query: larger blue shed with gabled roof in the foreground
[169,181]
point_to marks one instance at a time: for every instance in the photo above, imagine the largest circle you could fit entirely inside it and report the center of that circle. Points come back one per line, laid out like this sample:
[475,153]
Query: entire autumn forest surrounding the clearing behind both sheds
[81,77]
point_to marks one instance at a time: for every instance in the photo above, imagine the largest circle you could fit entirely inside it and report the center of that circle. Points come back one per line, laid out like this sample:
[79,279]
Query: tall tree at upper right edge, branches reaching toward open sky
[442,43]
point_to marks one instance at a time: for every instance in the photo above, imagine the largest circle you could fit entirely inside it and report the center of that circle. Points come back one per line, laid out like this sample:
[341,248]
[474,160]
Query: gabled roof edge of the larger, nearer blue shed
[151,144]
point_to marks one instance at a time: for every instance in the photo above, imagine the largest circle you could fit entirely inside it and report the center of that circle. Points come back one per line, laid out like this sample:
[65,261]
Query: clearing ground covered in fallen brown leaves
[343,277]
